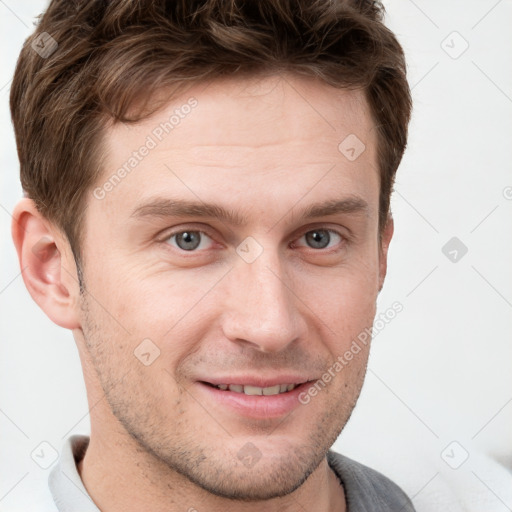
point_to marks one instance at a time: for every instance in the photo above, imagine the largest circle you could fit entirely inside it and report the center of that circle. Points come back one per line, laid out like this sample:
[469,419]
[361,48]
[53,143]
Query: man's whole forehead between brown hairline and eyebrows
[244,138]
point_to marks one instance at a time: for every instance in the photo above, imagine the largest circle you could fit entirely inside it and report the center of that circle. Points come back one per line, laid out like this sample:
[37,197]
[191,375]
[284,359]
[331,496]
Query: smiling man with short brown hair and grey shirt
[207,209]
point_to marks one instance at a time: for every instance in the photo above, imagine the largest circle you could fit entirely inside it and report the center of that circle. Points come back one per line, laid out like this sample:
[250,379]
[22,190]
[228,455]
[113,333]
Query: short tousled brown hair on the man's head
[110,55]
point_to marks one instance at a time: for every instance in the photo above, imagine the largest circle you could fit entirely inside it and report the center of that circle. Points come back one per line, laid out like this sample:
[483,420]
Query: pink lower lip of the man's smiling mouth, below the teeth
[256,406]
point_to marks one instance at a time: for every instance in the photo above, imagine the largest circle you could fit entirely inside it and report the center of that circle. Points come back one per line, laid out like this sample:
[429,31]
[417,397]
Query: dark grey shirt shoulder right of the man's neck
[366,489]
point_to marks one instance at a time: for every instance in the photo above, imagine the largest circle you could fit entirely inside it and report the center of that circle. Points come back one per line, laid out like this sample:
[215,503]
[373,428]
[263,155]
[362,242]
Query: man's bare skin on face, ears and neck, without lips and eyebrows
[266,149]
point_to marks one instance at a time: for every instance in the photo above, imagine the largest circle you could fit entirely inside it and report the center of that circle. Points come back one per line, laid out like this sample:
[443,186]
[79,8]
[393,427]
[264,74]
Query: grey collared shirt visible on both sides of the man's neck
[366,490]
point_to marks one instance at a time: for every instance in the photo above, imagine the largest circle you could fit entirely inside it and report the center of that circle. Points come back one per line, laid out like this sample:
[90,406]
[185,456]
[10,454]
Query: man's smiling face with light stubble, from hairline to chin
[237,255]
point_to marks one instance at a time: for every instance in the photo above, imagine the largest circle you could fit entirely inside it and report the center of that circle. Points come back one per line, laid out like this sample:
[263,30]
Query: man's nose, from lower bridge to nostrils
[260,307]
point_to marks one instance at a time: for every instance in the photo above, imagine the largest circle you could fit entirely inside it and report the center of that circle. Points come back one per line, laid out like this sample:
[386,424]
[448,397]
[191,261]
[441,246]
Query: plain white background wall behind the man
[441,370]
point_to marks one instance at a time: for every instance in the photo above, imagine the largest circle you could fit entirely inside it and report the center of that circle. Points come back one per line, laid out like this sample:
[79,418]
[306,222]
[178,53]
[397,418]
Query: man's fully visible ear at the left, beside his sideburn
[47,264]
